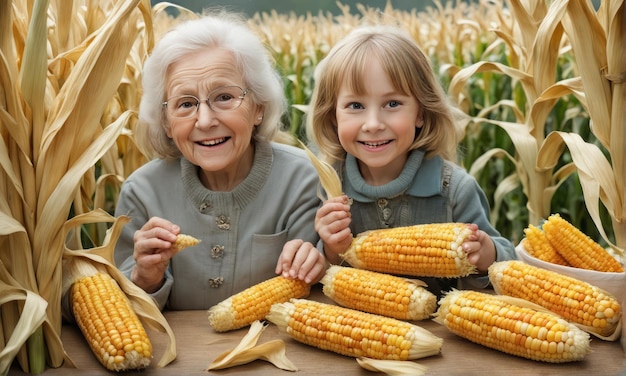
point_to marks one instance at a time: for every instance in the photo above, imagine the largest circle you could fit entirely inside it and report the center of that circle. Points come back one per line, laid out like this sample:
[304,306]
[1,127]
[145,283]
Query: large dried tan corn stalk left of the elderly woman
[56,80]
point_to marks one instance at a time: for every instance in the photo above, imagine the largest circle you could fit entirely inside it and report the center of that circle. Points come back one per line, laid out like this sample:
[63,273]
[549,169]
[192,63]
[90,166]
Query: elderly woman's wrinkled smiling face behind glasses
[218,141]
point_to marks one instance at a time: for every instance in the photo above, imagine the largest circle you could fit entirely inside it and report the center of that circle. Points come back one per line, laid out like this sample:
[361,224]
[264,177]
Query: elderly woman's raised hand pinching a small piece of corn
[152,253]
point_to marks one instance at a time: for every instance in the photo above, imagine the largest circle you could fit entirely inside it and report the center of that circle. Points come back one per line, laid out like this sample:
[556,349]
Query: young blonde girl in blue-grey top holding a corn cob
[380,117]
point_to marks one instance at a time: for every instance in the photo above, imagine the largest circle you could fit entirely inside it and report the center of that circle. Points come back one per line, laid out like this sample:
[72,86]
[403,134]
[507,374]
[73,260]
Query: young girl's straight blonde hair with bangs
[408,69]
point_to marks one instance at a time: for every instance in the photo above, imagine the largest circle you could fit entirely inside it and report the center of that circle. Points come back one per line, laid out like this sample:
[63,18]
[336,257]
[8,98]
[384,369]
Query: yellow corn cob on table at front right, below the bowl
[510,325]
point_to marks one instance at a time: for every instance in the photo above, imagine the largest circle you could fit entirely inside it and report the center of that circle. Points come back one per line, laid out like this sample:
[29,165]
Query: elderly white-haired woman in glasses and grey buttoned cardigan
[212,103]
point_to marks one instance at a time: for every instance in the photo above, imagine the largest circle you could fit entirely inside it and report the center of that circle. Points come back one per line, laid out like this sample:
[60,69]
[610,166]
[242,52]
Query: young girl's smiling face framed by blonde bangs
[377,126]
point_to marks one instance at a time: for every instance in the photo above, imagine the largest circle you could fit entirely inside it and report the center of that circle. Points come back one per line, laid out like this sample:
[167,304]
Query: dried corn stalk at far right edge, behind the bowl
[597,40]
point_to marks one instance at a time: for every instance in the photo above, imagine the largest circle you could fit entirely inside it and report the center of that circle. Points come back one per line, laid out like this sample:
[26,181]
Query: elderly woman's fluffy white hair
[216,29]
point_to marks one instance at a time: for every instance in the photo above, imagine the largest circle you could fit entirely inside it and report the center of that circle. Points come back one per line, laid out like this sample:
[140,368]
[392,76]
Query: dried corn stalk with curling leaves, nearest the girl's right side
[533,49]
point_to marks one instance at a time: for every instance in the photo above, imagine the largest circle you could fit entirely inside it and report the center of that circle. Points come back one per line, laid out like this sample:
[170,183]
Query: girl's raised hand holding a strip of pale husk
[332,223]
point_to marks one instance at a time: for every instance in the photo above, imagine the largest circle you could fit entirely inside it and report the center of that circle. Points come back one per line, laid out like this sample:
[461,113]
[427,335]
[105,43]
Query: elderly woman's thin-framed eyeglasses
[222,99]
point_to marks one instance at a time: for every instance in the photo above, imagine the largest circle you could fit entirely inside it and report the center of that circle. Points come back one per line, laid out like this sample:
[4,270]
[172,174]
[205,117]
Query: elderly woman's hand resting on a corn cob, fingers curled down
[301,260]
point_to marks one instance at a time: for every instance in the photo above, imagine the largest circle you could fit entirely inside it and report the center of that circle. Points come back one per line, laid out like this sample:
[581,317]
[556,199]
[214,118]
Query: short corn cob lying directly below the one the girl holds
[378,293]
